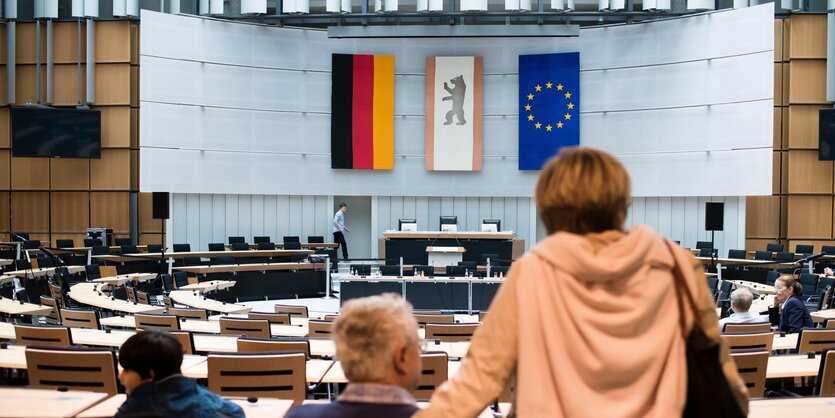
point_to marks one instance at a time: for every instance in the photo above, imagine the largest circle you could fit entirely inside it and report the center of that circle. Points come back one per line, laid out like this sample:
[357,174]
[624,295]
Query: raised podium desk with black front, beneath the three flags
[411,246]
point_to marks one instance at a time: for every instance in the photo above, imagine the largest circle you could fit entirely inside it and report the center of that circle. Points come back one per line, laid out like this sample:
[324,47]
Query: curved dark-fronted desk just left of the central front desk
[264,281]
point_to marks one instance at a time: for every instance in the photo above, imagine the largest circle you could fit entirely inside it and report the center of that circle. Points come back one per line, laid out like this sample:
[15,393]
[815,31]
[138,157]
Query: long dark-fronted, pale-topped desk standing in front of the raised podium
[444,293]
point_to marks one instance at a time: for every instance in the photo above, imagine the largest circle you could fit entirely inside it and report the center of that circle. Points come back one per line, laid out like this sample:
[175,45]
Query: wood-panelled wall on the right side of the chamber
[800,211]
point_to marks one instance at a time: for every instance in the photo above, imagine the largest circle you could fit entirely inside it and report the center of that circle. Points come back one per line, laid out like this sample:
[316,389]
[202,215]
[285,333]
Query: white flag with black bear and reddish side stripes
[453,113]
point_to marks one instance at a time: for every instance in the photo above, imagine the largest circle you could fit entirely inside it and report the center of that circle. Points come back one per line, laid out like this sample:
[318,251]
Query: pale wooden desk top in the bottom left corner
[45,403]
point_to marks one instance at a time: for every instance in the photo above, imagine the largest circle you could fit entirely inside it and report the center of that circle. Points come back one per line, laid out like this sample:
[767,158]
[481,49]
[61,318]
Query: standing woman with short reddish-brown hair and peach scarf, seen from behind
[587,320]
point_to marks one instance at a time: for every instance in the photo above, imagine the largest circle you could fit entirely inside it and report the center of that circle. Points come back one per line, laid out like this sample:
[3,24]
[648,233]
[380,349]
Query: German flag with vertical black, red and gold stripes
[362,112]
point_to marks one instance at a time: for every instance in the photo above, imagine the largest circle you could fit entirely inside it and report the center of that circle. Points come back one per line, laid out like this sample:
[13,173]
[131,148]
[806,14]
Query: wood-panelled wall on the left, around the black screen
[59,198]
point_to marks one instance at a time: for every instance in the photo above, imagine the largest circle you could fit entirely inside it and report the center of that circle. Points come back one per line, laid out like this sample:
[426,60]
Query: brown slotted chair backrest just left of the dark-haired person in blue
[82,369]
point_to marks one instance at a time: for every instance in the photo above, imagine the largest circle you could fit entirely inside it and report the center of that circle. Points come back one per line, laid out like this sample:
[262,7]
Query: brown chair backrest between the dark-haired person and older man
[273,375]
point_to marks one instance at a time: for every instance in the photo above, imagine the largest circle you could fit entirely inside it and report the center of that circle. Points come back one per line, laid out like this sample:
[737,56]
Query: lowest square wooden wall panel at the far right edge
[809,217]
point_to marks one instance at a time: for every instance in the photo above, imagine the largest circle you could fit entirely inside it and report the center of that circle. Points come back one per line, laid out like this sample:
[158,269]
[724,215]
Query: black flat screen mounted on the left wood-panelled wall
[57,133]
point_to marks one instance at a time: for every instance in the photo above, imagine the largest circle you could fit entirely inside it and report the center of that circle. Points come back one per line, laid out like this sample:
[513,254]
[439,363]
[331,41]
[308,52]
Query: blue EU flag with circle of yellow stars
[549,106]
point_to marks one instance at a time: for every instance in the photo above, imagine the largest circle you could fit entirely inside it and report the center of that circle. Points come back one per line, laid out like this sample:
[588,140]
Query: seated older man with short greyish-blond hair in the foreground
[377,343]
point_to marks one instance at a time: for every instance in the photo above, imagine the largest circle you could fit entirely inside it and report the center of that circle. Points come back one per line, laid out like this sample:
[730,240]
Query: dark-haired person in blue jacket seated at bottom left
[154,384]
